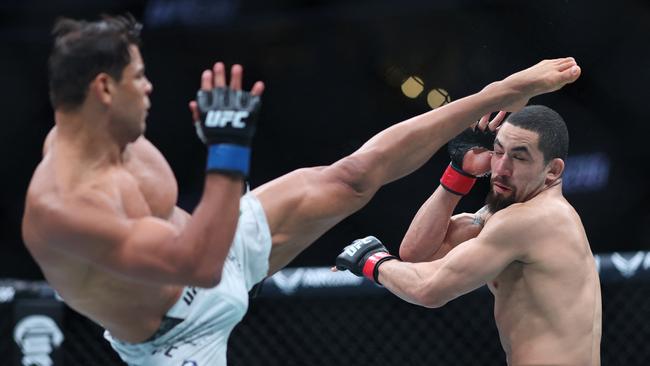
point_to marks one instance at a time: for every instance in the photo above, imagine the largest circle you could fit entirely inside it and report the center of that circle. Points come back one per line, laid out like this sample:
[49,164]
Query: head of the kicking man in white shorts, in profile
[99,63]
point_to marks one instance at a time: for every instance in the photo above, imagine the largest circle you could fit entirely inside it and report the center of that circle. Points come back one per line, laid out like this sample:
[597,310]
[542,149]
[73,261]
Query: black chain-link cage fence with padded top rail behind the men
[312,316]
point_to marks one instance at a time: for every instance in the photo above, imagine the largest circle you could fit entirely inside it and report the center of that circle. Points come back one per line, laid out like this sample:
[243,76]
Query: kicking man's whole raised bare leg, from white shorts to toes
[304,204]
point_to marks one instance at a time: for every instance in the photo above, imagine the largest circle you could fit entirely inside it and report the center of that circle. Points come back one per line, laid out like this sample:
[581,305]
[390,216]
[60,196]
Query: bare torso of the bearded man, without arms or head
[548,306]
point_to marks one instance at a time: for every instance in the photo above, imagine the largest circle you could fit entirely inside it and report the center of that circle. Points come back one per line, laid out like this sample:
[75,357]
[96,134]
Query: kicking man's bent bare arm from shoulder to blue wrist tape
[146,249]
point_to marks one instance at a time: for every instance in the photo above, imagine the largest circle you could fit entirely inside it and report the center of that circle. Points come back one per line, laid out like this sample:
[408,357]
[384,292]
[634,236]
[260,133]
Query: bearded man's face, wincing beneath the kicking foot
[518,168]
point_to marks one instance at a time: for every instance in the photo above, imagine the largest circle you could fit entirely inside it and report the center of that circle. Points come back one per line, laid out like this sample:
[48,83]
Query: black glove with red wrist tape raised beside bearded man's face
[455,179]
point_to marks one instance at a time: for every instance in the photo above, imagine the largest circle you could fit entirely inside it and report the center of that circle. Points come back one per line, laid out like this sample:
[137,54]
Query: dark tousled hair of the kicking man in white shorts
[84,49]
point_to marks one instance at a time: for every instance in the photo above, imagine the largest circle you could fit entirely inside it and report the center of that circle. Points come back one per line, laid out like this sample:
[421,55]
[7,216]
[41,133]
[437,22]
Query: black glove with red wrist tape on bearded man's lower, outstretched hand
[363,257]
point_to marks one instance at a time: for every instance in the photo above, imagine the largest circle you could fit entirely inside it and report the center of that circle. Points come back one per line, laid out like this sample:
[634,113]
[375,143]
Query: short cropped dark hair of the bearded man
[549,125]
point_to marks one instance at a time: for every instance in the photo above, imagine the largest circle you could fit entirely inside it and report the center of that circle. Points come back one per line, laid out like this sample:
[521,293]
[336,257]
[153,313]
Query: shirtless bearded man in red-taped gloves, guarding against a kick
[528,244]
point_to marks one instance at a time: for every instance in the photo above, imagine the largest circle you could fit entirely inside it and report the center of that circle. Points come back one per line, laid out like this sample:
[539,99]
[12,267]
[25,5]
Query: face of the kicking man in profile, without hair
[131,98]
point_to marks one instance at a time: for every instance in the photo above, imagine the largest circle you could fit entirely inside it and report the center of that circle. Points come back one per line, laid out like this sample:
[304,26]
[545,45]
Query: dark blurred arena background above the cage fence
[338,72]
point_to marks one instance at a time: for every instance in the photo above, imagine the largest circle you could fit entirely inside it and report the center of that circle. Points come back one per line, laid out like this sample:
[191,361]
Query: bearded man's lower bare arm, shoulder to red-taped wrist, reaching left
[468,266]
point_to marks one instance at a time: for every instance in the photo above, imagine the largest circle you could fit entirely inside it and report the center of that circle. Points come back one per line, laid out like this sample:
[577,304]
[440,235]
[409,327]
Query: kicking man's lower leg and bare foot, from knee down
[404,147]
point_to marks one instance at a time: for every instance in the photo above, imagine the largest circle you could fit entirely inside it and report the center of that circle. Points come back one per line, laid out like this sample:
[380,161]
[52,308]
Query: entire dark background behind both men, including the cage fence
[337,72]
